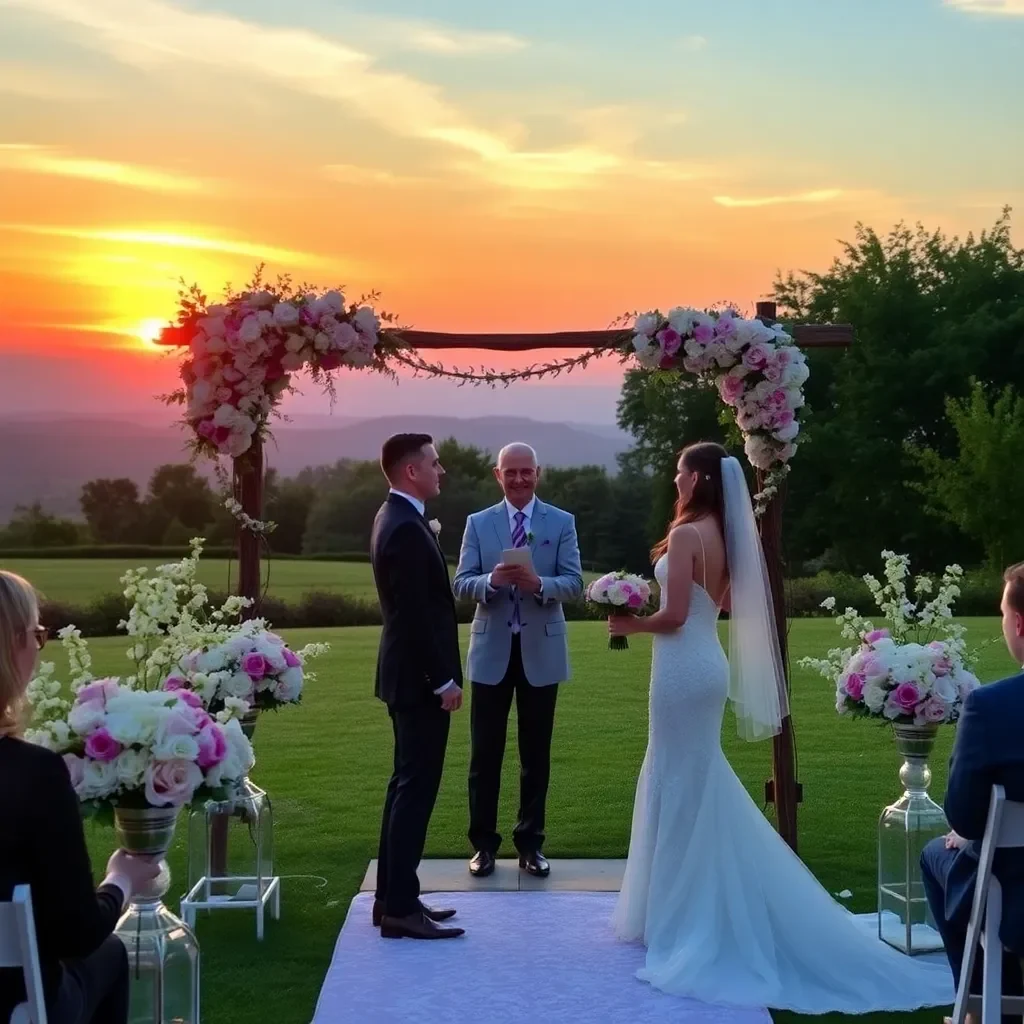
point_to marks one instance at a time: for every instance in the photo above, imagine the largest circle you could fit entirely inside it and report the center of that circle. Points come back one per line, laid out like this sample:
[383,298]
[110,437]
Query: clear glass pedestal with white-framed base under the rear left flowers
[231,854]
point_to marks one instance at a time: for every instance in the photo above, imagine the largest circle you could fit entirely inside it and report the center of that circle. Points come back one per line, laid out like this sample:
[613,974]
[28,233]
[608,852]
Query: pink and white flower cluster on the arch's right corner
[758,370]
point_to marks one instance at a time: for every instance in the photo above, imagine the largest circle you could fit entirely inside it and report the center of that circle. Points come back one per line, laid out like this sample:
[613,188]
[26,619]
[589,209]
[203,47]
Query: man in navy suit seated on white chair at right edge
[988,752]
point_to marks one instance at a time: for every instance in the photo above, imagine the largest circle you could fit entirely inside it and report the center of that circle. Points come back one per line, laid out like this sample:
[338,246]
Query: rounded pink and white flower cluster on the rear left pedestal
[254,666]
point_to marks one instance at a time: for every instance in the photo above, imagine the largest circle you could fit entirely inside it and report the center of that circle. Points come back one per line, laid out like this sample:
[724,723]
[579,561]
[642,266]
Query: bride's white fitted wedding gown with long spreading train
[729,913]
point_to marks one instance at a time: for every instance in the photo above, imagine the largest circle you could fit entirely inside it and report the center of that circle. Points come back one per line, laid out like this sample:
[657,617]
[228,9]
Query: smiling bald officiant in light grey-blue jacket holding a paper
[518,649]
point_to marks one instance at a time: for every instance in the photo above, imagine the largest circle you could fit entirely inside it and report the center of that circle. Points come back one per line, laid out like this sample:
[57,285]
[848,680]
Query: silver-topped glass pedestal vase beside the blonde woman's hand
[163,953]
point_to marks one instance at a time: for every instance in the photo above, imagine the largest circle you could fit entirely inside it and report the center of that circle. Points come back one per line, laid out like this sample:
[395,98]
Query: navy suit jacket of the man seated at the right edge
[989,752]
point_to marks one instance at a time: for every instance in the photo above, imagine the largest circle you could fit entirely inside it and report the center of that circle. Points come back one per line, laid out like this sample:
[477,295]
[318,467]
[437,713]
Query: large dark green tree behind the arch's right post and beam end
[930,313]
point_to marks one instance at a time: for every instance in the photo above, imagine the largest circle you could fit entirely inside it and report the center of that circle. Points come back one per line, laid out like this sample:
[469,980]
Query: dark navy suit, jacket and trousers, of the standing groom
[419,655]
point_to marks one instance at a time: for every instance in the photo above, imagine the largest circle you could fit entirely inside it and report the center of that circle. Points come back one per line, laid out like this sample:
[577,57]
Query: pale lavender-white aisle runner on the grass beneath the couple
[546,957]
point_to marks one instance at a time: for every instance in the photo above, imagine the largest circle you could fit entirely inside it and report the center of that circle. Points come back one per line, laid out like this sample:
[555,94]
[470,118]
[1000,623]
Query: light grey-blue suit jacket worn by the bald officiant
[543,632]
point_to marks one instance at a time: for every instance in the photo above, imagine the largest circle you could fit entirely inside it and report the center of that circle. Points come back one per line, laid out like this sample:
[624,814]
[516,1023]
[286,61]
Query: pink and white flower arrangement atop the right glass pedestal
[915,671]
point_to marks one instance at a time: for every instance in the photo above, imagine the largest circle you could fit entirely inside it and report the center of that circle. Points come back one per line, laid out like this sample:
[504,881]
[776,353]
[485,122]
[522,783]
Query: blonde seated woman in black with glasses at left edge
[42,845]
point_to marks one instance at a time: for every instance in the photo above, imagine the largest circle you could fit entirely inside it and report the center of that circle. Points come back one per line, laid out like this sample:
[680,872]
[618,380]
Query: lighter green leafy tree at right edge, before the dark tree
[982,488]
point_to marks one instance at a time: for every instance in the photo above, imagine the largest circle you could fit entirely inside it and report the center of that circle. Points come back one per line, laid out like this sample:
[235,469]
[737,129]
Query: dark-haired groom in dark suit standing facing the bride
[419,677]
